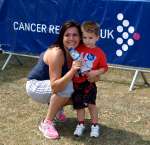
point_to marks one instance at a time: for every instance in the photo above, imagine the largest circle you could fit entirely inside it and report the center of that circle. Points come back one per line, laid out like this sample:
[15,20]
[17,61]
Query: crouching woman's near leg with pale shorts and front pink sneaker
[40,91]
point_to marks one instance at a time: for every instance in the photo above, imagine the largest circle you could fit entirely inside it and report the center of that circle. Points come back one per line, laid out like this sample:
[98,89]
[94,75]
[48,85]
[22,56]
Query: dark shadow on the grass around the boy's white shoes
[109,136]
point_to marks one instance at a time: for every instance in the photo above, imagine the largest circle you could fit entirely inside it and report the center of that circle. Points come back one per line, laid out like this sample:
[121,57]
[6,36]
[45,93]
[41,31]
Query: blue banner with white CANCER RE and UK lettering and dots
[28,27]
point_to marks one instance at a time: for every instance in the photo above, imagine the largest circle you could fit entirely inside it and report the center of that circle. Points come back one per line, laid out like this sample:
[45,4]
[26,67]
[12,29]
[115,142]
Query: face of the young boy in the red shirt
[89,39]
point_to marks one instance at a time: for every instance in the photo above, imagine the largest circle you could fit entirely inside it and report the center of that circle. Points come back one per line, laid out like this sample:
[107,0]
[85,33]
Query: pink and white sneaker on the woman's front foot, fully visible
[48,129]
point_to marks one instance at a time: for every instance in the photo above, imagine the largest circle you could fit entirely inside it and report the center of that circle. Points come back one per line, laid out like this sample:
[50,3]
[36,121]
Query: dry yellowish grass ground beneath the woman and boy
[124,116]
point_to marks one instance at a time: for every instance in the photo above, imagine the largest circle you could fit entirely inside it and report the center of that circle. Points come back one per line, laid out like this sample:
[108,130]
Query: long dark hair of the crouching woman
[66,25]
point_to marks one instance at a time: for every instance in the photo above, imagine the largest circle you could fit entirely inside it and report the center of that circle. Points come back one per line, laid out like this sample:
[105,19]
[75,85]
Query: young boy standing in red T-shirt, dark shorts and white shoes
[85,88]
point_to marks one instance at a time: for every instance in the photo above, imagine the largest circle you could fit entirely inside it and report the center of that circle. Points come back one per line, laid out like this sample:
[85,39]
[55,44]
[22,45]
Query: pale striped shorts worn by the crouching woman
[41,91]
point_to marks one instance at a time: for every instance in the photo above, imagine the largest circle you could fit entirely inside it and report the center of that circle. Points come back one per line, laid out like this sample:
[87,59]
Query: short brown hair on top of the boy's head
[91,27]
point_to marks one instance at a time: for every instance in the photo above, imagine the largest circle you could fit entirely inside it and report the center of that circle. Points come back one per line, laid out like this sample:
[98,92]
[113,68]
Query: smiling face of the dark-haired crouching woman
[71,38]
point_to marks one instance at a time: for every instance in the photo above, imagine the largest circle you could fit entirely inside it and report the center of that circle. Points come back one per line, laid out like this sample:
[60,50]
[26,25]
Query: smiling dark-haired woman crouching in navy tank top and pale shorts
[50,80]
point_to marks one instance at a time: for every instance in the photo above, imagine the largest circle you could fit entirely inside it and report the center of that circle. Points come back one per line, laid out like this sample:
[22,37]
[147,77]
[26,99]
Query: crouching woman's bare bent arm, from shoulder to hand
[55,60]
